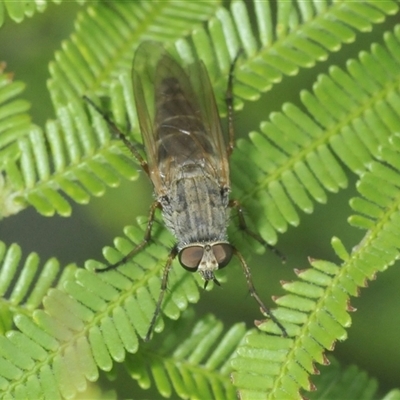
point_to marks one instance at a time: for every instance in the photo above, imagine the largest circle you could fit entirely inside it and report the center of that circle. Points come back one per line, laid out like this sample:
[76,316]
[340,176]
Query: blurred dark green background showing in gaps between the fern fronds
[373,342]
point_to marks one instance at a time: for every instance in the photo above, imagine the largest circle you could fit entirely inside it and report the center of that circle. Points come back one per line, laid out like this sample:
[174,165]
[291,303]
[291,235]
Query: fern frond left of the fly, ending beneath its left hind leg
[80,166]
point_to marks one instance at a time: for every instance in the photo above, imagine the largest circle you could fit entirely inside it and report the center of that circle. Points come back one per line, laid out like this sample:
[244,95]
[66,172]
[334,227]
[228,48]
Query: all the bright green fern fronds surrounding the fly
[59,329]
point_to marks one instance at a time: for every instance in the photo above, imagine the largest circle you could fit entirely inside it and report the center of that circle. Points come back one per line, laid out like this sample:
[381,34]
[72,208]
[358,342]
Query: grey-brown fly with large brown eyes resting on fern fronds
[187,162]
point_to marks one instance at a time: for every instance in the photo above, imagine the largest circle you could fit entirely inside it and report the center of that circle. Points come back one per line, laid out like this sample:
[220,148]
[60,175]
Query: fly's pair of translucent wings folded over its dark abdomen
[178,118]
